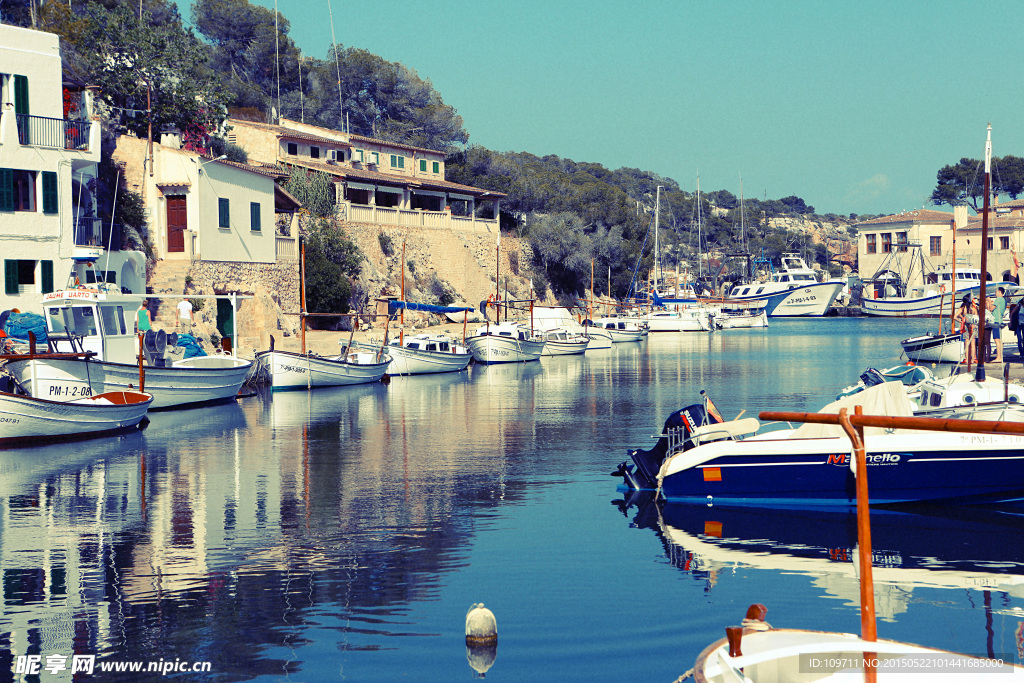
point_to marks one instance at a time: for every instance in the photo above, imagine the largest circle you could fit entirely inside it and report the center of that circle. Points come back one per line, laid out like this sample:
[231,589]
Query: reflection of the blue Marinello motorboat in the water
[976,549]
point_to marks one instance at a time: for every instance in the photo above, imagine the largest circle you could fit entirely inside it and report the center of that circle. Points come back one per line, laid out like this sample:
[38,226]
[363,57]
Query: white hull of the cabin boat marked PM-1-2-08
[188,382]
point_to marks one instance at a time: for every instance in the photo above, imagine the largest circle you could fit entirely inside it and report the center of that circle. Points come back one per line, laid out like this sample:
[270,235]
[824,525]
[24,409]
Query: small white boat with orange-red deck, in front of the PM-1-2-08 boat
[25,420]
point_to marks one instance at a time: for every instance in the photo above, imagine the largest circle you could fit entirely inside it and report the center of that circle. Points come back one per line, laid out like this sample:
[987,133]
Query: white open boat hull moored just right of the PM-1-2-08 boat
[288,371]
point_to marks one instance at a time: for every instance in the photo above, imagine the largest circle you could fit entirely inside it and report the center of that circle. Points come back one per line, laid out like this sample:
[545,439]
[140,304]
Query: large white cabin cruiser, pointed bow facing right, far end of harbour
[793,290]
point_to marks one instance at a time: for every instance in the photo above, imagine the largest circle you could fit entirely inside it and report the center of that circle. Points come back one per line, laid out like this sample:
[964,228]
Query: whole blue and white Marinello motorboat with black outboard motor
[740,463]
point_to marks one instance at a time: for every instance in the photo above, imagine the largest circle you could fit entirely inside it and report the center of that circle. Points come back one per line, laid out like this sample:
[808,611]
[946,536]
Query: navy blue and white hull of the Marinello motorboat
[816,473]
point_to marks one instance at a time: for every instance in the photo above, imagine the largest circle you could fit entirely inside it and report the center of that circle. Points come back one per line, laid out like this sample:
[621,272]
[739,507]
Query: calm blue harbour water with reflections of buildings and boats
[344,535]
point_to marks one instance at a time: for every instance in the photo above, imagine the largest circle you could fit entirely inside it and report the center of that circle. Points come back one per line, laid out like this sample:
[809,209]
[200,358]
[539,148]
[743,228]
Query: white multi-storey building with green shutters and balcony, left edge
[50,152]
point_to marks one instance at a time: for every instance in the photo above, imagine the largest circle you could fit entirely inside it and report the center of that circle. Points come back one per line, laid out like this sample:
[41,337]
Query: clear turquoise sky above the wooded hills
[851,106]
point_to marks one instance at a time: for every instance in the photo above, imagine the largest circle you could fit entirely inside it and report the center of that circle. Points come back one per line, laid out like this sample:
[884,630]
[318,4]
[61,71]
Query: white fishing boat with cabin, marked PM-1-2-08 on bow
[101,320]
